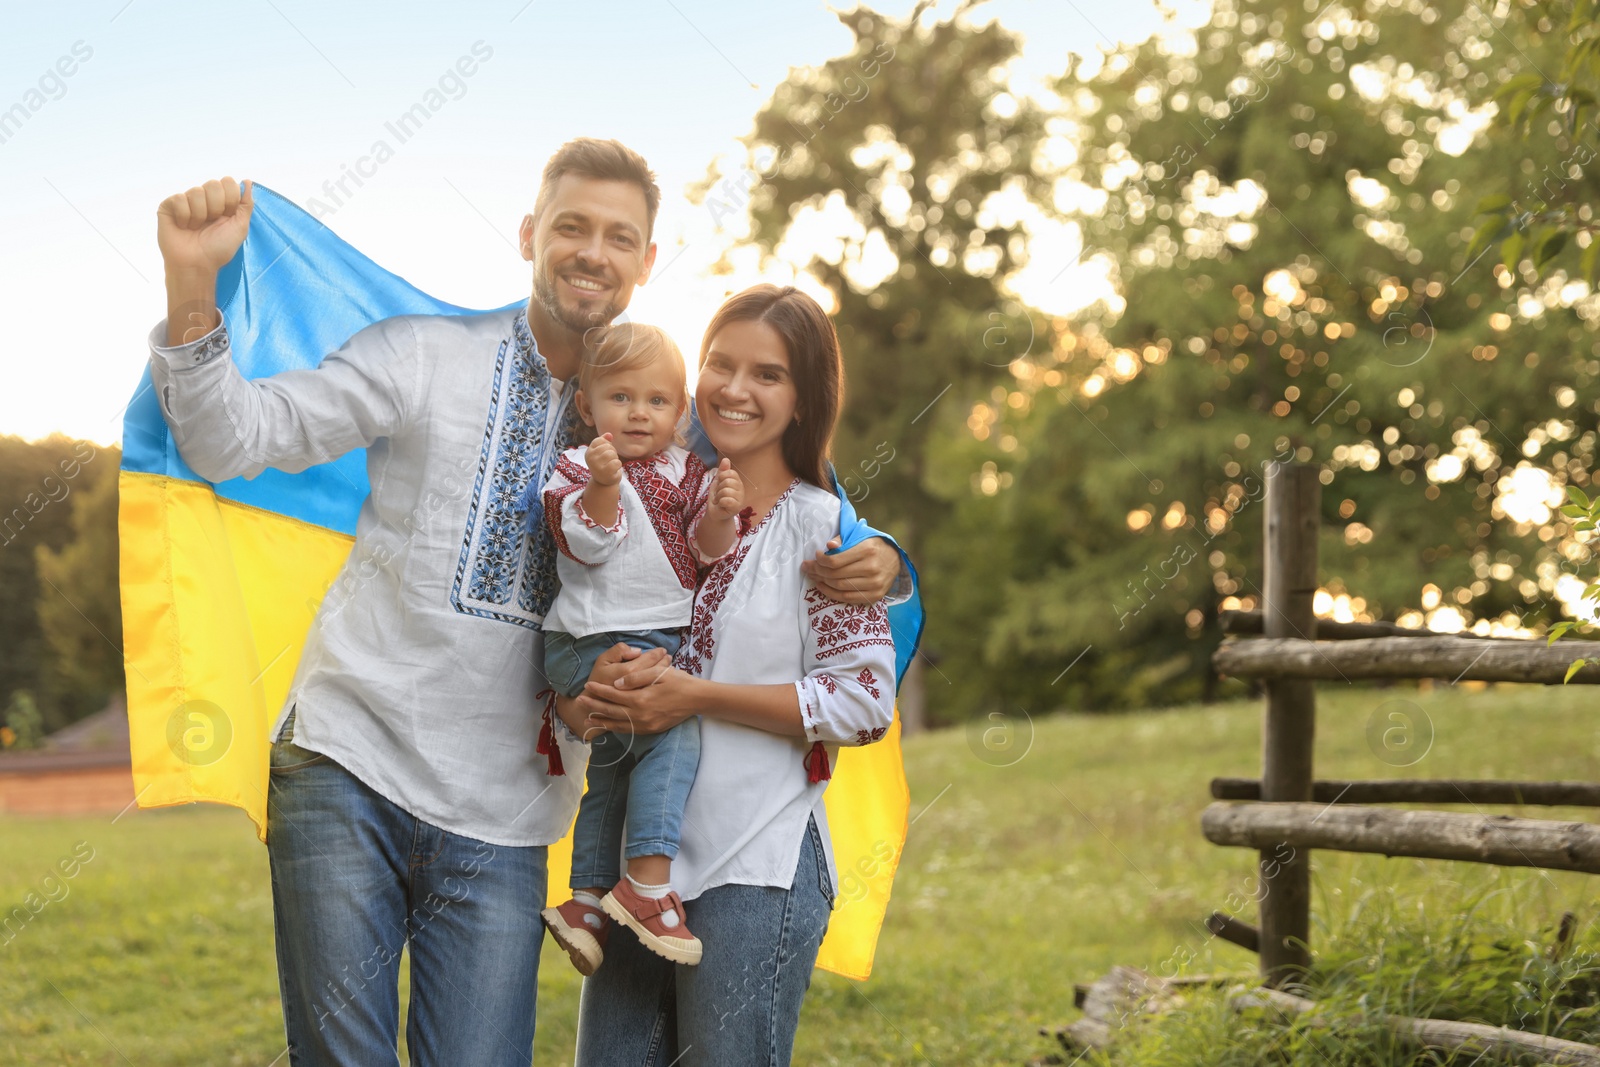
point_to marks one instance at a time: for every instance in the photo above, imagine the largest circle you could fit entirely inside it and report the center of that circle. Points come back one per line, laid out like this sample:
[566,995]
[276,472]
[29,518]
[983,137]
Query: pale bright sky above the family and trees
[132,102]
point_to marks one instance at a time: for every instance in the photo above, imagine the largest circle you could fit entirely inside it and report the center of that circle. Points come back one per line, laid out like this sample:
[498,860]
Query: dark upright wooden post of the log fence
[1292,518]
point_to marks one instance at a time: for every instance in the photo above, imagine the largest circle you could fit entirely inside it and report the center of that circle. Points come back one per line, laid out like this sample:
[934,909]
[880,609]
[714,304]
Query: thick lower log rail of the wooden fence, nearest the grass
[1502,841]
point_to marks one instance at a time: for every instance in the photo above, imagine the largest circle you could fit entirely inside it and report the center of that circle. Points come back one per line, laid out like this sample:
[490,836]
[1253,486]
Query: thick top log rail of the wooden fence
[1450,658]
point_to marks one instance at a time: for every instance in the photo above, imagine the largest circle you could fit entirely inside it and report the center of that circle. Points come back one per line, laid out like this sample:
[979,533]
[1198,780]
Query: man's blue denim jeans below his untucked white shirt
[354,881]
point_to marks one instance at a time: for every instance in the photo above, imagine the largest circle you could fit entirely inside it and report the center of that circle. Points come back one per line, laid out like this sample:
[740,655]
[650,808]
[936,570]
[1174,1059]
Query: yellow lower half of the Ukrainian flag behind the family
[217,599]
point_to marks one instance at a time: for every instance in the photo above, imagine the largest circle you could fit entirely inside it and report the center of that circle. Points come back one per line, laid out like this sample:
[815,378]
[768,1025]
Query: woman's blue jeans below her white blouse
[740,1005]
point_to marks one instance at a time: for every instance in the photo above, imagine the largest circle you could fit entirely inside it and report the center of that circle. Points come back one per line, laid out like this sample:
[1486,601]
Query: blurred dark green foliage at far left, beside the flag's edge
[58,575]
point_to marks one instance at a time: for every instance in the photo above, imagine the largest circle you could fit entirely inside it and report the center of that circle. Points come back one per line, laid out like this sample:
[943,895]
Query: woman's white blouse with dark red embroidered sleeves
[758,621]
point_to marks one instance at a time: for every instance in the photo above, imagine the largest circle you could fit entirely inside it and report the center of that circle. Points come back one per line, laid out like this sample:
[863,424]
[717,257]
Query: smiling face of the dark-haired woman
[746,396]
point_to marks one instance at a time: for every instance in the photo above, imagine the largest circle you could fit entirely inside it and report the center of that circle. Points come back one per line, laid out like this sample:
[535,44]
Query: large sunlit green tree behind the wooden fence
[1290,236]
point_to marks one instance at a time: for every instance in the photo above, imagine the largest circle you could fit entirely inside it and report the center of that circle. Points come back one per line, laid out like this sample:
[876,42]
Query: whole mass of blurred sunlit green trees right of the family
[1284,202]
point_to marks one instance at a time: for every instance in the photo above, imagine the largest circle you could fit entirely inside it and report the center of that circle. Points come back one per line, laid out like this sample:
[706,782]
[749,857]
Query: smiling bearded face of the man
[590,250]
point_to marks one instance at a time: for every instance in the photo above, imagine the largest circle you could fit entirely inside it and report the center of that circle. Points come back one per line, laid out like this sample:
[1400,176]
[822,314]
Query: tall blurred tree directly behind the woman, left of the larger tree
[898,146]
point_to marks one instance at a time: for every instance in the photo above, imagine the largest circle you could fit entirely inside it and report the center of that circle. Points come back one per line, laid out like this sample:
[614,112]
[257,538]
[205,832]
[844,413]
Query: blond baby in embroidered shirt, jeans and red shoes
[622,511]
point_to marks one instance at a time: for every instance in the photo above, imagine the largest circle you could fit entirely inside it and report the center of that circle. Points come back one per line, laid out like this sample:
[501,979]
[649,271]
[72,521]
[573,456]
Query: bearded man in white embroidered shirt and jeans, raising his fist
[409,805]
